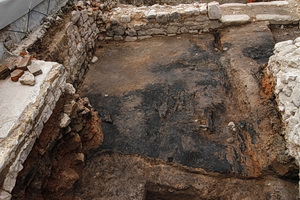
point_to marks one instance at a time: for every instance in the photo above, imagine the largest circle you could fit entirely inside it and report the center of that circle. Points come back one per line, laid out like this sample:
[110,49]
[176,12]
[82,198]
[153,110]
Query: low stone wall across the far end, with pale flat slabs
[134,23]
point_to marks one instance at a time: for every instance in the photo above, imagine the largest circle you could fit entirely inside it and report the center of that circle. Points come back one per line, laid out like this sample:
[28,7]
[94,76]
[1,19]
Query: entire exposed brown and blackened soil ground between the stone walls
[185,113]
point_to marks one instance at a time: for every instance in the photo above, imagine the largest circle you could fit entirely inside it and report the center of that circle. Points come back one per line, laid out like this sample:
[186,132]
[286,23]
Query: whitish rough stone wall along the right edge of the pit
[285,67]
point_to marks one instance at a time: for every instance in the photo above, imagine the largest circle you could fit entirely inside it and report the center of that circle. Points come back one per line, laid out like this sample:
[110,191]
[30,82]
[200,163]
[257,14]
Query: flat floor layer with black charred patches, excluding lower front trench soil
[172,98]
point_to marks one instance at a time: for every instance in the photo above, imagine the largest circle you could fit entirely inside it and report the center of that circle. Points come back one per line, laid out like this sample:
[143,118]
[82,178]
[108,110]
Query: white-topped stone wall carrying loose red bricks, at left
[19,138]
